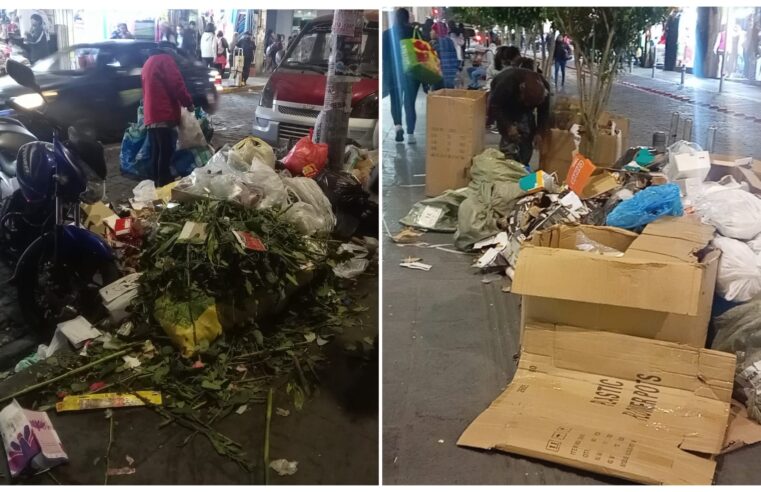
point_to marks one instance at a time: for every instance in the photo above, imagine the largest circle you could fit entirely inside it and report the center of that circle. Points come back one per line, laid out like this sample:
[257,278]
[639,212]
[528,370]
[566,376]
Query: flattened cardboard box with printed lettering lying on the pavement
[623,406]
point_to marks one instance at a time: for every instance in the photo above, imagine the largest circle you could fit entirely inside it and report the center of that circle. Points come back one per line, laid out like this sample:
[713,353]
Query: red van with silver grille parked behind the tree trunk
[294,94]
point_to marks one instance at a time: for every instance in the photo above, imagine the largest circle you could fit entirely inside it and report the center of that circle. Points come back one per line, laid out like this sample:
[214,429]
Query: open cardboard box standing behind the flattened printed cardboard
[658,289]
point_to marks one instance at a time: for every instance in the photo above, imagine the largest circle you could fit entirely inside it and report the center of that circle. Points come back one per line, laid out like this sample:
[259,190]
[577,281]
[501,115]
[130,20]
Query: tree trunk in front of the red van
[345,58]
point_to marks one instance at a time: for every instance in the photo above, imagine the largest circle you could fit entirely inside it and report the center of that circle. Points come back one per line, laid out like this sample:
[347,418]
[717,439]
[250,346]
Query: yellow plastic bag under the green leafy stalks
[188,324]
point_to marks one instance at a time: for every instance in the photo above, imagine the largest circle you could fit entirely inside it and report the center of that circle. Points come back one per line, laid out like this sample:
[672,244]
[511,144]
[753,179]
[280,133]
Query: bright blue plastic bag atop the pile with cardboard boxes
[647,206]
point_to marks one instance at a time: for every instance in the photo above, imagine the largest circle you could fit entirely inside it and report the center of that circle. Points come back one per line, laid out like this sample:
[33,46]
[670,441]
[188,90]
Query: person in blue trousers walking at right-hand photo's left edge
[400,86]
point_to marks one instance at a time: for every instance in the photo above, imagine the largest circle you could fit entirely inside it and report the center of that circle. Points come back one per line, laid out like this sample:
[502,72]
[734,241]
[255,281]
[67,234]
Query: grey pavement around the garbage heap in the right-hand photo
[450,338]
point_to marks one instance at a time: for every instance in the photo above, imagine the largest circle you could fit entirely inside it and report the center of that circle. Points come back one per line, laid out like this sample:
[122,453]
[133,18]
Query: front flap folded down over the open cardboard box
[628,282]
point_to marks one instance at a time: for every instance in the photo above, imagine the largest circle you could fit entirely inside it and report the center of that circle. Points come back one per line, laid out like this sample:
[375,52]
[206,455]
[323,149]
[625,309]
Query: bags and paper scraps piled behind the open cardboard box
[504,205]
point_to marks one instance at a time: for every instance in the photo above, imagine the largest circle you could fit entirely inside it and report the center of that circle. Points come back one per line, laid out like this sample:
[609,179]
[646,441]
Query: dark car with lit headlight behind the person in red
[96,87]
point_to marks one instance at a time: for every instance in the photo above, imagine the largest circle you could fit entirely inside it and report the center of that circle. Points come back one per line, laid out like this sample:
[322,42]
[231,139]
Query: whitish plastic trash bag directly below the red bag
[310,210]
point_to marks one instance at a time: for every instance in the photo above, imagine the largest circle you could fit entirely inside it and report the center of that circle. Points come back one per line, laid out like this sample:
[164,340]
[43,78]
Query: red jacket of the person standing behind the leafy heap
[164,90]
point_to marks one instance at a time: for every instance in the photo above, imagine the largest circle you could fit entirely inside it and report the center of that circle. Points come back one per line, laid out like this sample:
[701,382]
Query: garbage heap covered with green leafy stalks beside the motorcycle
[236,277]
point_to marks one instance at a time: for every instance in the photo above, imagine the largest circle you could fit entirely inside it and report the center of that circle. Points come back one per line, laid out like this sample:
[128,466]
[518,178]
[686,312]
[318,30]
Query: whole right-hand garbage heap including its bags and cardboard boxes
[623,262]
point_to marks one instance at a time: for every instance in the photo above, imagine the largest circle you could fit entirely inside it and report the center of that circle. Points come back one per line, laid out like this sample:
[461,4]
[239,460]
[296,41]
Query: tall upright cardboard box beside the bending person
[456,125]
